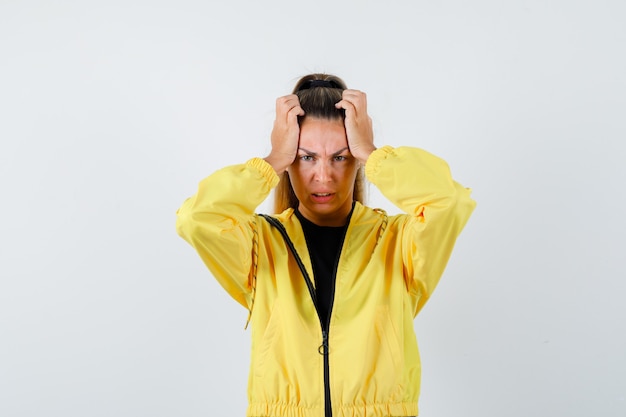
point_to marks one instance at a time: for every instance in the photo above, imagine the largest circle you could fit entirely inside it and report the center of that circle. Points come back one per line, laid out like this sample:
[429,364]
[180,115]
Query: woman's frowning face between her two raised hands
[324,172]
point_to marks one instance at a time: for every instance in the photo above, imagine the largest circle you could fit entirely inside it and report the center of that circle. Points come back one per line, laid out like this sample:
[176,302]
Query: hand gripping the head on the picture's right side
[358,124]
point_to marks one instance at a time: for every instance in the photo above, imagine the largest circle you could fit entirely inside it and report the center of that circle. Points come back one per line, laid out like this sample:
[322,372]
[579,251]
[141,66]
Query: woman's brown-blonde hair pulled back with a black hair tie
[317,101]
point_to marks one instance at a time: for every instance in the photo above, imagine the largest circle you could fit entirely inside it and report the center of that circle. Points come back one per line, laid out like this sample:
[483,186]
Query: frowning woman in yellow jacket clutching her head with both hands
[332,286]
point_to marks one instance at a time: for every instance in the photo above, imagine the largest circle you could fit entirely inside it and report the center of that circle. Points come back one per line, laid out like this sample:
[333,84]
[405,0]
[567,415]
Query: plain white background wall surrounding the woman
[112,111]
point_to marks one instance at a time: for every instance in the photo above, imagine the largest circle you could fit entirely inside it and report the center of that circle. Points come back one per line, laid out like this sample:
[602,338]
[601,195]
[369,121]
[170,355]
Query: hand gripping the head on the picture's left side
[286,133]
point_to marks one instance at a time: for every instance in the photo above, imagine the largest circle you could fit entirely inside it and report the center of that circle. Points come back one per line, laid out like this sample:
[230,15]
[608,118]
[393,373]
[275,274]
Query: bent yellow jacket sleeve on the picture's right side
[437,208]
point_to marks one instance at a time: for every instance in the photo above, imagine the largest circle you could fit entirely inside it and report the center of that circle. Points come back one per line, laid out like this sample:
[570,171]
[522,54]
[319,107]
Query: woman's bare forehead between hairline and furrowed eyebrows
[320,135]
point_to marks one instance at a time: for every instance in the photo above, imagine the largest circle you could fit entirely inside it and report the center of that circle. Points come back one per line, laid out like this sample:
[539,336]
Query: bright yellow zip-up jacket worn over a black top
[388,268]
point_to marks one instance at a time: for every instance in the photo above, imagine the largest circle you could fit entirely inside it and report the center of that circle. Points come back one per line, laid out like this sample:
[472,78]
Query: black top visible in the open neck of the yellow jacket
[324,244]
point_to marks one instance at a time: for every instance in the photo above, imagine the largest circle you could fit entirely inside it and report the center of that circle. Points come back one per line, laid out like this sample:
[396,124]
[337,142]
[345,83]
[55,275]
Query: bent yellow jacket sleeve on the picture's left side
[219,222]
